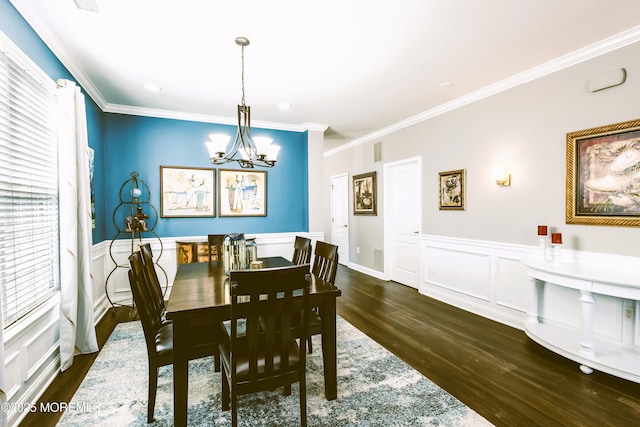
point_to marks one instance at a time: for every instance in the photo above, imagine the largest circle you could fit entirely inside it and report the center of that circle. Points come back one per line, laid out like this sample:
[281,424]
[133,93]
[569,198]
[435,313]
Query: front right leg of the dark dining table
[328,316]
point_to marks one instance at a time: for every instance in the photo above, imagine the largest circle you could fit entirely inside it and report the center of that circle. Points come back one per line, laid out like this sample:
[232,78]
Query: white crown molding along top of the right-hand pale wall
[600,48]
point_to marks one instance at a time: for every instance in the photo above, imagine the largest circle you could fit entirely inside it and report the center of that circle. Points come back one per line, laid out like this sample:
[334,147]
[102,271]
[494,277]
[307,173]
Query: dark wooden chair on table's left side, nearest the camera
[203,340]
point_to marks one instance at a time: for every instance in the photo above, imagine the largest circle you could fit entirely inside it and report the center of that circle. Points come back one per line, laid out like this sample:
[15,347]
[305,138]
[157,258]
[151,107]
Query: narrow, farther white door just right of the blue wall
[340,216]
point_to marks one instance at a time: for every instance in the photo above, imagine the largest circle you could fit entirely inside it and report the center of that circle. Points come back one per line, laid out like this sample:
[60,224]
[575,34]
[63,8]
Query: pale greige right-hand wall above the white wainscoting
[524,129]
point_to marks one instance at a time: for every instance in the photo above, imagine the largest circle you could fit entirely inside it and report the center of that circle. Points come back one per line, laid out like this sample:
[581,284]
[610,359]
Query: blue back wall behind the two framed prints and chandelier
[143,144]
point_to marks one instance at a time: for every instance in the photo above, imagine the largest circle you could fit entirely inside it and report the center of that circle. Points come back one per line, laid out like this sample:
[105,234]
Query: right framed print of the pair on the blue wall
[242,193]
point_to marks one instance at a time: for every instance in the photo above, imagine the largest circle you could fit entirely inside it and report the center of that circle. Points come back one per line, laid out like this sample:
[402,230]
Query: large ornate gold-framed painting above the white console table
[603,175]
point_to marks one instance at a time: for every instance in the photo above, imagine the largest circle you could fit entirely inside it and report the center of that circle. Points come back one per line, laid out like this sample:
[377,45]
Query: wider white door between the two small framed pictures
[403,205]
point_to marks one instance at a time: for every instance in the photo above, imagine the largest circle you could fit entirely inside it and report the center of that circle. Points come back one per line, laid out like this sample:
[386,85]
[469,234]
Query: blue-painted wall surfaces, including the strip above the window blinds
[124,143]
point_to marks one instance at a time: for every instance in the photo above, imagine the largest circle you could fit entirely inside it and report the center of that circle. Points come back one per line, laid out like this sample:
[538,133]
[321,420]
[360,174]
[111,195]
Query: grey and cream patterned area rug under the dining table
[375,388]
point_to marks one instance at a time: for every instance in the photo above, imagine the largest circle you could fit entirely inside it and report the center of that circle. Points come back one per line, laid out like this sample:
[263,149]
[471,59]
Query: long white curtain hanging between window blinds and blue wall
[77,328]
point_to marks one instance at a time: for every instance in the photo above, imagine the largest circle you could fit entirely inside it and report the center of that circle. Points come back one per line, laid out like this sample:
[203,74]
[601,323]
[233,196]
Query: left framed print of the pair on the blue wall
[187,192]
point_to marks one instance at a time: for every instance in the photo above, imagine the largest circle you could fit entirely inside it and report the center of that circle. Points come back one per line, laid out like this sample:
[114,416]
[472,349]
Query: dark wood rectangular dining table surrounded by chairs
[201,291]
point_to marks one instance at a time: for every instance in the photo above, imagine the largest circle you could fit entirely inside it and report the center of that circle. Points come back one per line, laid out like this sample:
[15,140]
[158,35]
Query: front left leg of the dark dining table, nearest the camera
[180,372]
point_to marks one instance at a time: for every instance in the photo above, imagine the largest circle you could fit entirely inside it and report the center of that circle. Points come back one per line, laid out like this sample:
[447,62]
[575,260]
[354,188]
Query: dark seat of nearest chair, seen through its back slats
[242,359]
